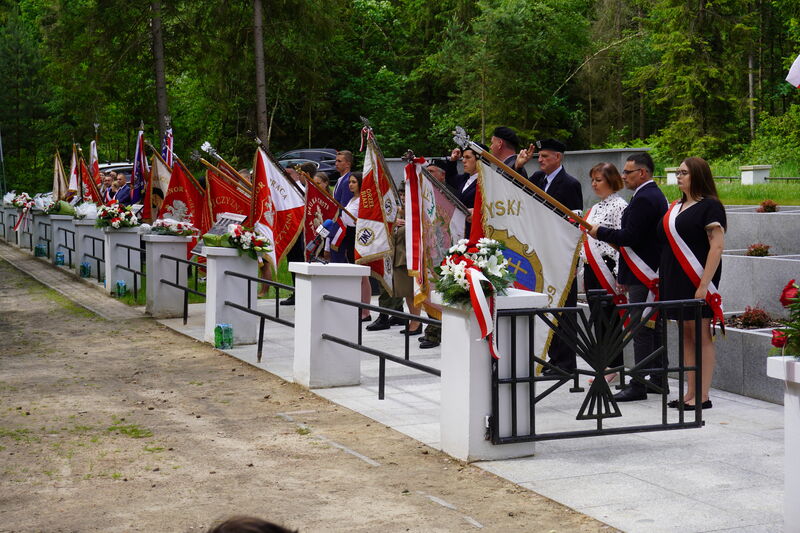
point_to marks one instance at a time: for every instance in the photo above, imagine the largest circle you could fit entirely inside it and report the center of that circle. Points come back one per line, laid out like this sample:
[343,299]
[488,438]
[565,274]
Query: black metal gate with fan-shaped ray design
[596,339]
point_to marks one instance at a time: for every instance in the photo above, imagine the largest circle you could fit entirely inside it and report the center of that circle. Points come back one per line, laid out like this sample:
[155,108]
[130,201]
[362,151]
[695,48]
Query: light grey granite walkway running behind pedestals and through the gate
[726,476]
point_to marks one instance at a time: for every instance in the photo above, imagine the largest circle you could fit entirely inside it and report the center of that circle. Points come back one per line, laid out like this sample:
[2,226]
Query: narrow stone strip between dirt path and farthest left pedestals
[68,283]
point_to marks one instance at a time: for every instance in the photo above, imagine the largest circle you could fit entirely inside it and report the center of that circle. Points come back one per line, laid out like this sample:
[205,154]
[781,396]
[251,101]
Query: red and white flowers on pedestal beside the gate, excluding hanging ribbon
[486,256]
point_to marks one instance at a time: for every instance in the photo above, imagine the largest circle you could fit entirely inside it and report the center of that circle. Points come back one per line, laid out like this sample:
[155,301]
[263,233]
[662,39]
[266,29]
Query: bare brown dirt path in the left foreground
[127,426]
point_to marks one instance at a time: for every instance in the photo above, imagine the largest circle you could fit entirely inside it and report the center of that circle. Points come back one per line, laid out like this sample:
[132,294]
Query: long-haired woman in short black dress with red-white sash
[696,223]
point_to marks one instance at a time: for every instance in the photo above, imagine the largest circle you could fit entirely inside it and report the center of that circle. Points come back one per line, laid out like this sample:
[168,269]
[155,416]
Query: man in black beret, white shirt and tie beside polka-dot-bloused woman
[566,189]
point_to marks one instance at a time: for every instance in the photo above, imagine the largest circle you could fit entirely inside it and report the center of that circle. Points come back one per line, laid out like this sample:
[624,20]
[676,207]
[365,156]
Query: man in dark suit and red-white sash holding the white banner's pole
[637,237]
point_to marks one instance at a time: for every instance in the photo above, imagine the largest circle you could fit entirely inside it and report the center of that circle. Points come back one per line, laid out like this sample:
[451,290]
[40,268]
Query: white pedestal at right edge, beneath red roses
[788,370]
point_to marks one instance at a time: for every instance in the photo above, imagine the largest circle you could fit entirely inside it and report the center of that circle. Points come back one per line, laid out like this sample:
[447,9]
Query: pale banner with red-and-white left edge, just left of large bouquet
[434,223]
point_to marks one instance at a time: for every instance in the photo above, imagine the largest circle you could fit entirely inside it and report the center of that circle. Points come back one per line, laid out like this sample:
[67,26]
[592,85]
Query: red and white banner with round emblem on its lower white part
[378,205]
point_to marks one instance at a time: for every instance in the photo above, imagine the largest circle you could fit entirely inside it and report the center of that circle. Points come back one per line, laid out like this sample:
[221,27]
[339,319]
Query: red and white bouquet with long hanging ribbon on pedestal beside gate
[473,273]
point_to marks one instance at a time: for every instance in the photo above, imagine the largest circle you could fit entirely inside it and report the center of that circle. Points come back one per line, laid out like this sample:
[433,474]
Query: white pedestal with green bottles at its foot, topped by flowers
[221,287]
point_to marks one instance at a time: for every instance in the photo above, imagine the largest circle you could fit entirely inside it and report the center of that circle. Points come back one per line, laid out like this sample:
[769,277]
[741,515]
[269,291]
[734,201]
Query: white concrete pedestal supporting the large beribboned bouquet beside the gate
[466,393]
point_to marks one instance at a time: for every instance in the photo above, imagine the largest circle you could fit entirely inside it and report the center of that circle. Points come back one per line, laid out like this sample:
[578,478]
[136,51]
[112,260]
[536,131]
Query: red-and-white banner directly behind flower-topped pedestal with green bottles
[278,213]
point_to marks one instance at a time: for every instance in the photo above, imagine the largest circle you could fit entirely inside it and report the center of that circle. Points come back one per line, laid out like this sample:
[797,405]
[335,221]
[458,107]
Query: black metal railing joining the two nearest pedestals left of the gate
[383,356]
